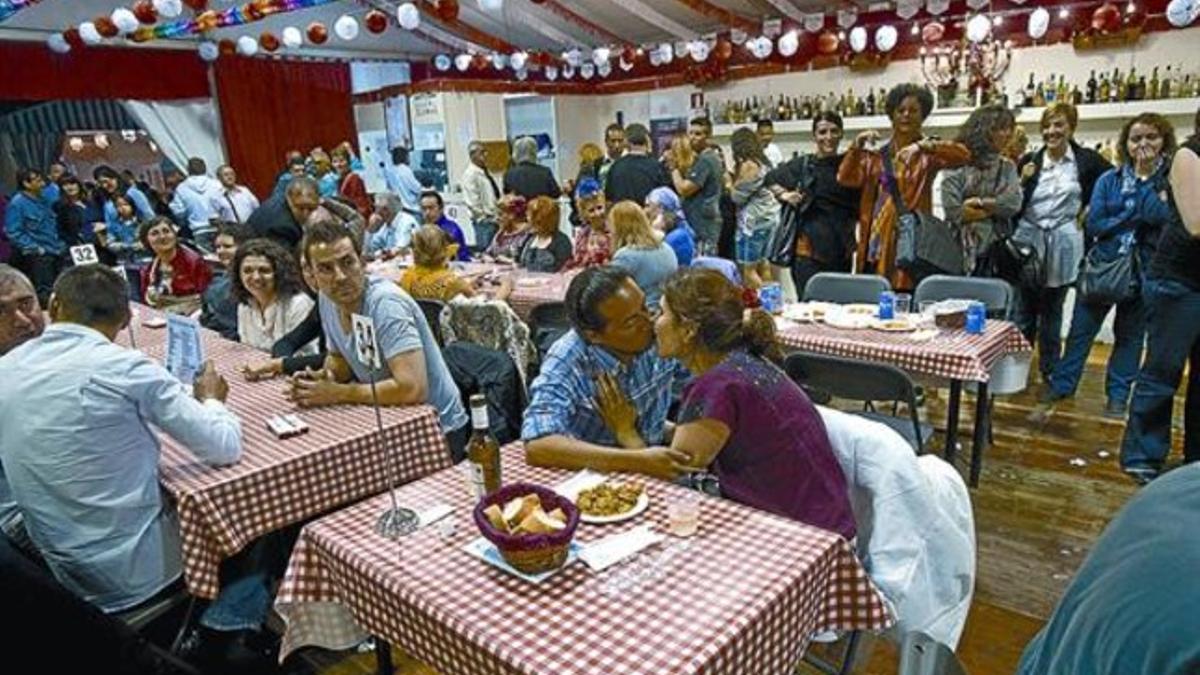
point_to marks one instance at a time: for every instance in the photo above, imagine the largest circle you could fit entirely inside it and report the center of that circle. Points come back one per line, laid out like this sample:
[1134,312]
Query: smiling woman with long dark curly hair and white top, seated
[272,300]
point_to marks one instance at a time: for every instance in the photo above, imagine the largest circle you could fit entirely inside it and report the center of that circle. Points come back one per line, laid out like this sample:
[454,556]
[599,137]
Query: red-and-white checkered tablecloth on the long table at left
[280,482]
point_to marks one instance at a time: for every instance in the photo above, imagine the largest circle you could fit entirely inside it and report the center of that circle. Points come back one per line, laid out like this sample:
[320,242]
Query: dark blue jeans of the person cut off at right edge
[1174,339]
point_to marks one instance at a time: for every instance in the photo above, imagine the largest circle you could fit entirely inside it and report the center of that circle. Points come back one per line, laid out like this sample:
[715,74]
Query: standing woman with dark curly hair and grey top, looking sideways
[982,198]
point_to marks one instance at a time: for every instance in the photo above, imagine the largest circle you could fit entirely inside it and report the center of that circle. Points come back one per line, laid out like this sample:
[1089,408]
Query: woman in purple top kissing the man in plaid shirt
[742,416]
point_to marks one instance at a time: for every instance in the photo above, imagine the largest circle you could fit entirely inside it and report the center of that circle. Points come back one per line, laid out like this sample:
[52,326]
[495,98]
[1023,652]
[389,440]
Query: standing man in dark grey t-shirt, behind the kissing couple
[701,187]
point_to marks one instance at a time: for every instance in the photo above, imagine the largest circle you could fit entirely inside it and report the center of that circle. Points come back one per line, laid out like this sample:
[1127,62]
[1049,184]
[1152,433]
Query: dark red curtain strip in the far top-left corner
[29,71]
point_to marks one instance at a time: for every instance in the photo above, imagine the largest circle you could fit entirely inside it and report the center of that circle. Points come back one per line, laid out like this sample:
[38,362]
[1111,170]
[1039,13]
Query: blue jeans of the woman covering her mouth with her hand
[1129,330]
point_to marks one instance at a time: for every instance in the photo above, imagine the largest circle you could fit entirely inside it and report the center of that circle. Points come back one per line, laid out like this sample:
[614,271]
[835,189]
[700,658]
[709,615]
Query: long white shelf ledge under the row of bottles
[953,118]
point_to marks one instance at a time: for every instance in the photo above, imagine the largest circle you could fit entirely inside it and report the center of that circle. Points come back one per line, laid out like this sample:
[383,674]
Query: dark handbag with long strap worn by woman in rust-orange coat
[926,244]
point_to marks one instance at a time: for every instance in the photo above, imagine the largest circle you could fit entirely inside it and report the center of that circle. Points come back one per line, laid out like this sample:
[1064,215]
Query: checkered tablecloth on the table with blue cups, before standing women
[953,355]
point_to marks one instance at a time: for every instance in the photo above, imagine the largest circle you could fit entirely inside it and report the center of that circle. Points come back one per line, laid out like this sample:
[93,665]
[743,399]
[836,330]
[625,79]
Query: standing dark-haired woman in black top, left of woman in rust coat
[826,240]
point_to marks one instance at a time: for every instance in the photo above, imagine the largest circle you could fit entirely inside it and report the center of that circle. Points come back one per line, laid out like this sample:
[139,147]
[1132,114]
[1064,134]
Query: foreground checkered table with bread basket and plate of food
[563,572]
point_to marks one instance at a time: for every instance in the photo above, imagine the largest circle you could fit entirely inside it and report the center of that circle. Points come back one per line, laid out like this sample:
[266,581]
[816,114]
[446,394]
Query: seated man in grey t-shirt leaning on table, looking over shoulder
[413,369]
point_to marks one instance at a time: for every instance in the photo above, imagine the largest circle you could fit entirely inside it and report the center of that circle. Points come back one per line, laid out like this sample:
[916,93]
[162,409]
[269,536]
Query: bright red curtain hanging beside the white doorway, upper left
[269,107]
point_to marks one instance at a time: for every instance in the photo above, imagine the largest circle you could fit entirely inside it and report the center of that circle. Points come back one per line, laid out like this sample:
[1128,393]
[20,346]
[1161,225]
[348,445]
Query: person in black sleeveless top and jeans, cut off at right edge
[1172,294]
